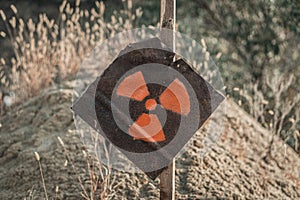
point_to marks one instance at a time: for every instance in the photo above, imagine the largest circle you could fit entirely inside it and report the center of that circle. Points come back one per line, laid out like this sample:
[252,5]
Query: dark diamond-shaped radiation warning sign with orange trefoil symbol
[148,104]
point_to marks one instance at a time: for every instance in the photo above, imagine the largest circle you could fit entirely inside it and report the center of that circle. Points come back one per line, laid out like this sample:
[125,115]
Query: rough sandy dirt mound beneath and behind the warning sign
[236,166]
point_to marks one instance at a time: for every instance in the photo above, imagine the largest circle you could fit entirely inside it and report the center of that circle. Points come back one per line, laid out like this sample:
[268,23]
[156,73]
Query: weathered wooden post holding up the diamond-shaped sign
[167,20]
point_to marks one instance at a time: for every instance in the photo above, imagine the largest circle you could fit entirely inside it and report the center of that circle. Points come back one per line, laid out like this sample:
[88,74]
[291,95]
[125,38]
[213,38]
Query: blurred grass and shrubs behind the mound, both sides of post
[256,45]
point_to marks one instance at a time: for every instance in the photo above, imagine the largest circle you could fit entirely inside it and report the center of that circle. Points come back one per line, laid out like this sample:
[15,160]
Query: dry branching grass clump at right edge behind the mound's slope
[274,106]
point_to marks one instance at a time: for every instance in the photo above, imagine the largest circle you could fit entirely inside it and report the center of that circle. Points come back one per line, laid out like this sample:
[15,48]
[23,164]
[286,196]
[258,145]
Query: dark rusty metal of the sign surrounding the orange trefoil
[96,105]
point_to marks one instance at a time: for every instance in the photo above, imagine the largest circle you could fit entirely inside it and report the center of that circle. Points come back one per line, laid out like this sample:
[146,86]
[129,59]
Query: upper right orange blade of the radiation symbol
[176,98]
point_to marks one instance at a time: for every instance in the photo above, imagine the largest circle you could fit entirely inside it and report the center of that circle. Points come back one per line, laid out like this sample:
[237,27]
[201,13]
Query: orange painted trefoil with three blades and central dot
[148,127]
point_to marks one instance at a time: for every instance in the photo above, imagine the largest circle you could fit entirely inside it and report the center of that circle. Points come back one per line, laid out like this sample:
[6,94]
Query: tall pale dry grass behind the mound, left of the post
[49,51]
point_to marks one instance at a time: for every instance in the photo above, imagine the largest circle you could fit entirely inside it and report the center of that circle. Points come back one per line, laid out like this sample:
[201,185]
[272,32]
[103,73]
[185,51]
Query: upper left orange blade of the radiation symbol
[134,87]
